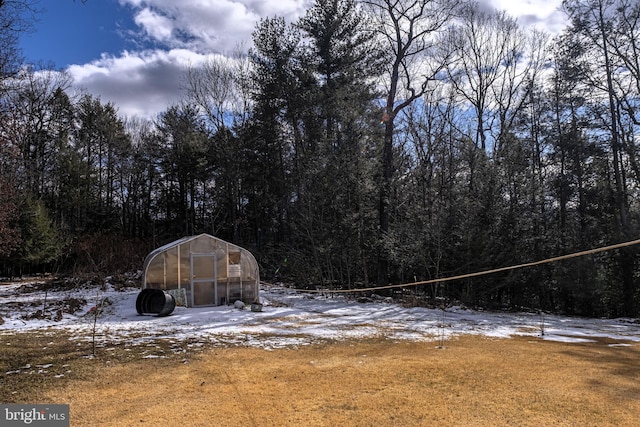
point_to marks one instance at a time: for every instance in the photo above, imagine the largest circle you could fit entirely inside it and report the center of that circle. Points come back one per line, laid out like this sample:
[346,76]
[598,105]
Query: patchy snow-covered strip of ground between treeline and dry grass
[288,319]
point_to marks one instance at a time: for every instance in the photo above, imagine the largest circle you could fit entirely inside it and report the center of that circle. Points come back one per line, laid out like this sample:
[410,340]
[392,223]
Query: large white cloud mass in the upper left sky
[144,83]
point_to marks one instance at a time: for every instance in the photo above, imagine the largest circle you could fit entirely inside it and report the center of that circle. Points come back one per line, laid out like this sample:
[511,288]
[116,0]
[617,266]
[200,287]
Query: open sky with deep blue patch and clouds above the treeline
[134,53]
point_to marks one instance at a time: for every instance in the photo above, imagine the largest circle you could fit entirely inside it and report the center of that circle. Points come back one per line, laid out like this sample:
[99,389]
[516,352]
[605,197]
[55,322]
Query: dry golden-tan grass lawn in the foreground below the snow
[473,381]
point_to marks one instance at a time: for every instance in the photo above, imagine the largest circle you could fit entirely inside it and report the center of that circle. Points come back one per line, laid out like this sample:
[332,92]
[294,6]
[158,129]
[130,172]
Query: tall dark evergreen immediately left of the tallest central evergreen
[273,137]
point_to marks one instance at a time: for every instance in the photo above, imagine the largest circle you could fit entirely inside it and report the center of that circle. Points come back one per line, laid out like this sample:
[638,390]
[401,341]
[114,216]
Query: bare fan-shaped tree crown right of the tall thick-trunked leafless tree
[493,61]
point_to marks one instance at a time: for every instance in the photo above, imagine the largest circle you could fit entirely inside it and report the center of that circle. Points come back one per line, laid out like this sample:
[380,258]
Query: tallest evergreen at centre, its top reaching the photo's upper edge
[335,211]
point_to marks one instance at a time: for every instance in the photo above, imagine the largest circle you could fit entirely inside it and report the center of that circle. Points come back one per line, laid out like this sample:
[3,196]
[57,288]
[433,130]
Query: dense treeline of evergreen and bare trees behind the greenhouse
[379,141]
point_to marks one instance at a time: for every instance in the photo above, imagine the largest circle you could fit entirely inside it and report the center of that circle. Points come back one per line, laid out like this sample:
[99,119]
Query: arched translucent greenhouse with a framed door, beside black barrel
[205,270]
